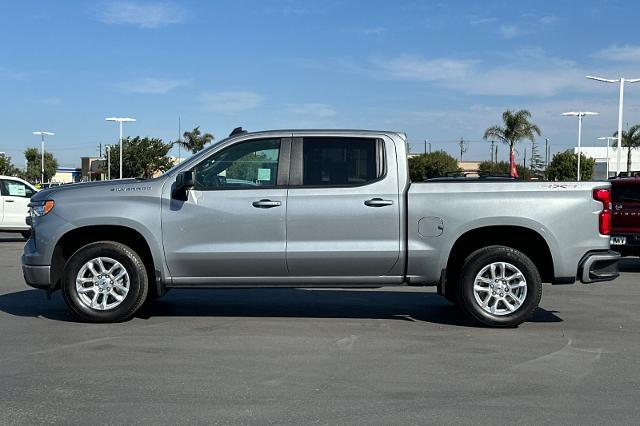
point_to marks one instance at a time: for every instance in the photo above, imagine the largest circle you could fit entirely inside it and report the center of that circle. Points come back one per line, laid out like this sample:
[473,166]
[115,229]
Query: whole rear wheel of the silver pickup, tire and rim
[499,287]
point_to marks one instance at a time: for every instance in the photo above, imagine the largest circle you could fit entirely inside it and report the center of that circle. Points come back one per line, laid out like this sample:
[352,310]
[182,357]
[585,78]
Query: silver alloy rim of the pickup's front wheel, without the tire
[102,283]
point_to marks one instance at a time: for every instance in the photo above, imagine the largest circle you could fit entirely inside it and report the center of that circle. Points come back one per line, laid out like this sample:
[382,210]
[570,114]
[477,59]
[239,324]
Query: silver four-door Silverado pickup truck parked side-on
[316,208]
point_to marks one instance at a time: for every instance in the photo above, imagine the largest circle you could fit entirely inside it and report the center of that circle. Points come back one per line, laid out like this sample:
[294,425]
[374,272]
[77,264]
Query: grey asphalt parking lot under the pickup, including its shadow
[387,356]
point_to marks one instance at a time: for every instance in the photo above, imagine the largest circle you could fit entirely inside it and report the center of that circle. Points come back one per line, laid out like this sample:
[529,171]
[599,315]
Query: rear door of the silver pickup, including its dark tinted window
[343,212]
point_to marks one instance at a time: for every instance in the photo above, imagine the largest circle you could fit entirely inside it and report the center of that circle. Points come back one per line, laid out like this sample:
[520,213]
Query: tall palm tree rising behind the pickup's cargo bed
[516,127]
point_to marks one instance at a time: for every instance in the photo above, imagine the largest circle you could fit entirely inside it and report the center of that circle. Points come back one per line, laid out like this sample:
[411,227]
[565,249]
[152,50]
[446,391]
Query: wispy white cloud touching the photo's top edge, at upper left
[142,15]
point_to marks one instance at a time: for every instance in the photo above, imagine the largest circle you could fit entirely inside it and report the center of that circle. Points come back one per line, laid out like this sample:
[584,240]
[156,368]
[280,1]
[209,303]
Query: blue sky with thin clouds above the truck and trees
[437,70]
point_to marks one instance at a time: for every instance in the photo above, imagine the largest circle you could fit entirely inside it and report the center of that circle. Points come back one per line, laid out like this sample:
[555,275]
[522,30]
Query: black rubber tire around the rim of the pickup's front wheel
[138,281]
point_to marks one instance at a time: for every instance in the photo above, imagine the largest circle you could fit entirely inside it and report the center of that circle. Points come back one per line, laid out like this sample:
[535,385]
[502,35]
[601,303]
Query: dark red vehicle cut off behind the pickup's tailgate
[625,232]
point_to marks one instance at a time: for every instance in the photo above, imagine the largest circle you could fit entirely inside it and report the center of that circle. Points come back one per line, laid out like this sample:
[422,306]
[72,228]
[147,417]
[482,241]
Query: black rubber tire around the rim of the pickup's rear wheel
[483,257]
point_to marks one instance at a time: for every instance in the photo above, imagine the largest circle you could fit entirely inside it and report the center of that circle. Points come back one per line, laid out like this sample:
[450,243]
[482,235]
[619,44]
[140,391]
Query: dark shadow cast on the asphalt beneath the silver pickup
[272,303]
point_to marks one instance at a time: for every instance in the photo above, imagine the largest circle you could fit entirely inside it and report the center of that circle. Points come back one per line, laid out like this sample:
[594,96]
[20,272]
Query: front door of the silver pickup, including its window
[232,227]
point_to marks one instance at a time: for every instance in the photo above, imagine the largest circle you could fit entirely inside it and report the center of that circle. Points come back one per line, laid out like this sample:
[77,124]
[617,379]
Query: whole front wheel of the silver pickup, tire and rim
[105,282]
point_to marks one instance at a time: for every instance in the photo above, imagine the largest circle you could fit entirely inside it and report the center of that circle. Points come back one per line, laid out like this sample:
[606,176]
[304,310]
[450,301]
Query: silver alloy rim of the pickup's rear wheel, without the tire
[500,288]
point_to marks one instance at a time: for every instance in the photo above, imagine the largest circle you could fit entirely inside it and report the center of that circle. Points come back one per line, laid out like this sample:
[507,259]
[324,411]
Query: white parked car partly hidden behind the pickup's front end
[15,194]
